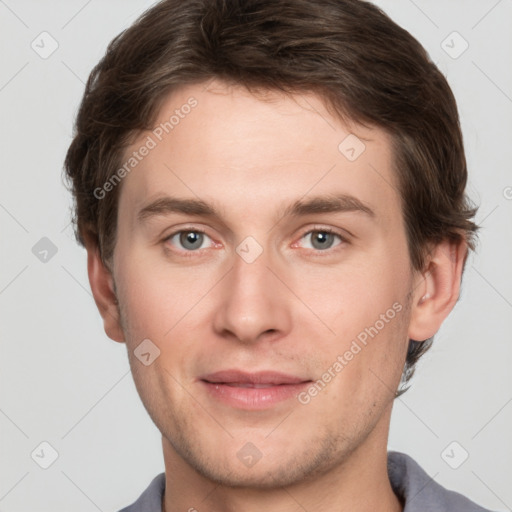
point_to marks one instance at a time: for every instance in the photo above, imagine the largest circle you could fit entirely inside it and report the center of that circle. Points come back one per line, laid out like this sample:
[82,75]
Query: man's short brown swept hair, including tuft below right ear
[364,66]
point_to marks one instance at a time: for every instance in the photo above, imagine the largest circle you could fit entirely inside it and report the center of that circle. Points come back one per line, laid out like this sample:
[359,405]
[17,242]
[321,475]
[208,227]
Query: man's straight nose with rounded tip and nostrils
[254,304]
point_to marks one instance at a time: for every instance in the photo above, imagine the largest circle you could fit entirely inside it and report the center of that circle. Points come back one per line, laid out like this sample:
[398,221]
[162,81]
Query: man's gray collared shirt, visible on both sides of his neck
[418,491]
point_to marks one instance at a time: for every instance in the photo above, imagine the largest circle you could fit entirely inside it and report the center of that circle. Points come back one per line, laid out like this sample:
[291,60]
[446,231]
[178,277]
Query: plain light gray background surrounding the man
[65,383]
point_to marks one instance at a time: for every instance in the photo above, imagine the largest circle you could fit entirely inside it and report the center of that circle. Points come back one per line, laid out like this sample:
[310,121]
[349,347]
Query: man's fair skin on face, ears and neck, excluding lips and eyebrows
[294,309]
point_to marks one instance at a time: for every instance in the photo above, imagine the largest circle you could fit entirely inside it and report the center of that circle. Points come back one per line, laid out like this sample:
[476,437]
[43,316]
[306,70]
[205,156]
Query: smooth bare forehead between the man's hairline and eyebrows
[227,145]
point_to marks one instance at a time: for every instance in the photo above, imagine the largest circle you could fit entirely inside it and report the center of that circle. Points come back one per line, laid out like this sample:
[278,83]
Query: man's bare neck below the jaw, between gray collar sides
[358,483]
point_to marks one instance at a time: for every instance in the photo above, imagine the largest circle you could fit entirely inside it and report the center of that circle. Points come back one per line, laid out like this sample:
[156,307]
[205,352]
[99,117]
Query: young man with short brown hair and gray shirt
[271,195]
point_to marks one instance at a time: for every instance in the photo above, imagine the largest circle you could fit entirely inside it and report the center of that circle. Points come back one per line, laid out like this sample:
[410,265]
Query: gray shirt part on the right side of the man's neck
[420,492]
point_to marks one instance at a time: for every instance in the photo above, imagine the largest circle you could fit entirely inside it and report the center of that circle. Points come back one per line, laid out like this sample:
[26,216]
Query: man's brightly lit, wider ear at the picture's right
[437,289]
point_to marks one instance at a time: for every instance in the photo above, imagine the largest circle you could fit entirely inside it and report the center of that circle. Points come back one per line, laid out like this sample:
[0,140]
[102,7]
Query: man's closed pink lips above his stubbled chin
[252,391]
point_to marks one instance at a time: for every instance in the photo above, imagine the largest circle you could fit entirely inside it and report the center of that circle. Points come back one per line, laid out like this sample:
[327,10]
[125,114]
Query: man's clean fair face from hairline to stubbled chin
[268,266]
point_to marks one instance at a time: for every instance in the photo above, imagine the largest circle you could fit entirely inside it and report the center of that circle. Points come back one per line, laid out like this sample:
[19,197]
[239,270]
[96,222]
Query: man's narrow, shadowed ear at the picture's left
[102,286]
